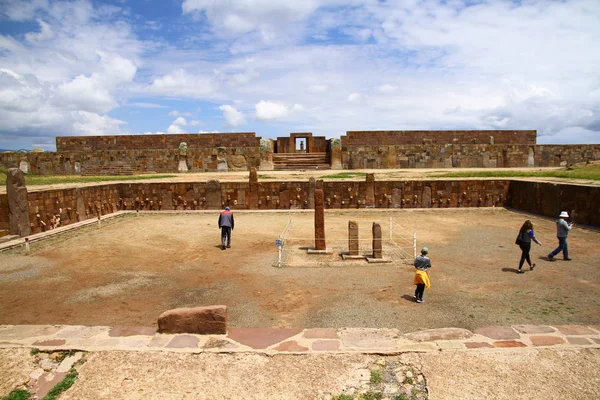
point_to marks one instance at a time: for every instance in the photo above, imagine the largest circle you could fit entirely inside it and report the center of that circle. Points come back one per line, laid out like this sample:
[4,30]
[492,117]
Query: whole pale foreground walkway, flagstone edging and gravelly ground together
[500,362]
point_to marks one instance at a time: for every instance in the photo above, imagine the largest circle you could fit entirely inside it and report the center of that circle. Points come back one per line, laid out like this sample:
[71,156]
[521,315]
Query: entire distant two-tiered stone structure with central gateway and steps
[129,154]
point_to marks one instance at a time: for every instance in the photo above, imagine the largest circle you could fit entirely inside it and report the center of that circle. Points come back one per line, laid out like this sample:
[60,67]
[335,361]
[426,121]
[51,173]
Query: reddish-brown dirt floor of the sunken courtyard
[133,268]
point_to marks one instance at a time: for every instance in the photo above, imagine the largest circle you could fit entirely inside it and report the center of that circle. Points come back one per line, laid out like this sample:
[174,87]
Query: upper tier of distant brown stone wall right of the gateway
[385,138]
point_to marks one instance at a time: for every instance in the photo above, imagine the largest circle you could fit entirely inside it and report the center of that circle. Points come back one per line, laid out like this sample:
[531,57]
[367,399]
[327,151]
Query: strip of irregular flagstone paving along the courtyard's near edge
[297,340]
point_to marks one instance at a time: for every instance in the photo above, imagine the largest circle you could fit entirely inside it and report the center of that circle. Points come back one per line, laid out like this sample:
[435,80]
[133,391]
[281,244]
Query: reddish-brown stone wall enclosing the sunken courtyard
[72,205]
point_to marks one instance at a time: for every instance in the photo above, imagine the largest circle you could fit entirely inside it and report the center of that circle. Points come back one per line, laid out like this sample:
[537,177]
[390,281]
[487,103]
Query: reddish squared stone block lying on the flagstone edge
[200,320]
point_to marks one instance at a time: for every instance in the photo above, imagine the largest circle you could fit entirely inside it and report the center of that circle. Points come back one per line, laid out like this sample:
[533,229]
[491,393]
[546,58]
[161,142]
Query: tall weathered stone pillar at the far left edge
[18,207]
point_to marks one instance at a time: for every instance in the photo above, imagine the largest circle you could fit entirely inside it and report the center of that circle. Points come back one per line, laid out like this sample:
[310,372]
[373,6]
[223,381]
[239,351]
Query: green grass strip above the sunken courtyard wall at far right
[588,172]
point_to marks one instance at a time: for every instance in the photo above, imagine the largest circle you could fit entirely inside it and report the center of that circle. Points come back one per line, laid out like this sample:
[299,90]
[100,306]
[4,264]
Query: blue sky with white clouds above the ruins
[277,66]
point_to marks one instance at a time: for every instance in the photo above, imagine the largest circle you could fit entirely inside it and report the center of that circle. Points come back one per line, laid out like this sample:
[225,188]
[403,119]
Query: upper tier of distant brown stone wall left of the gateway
[143,142]
